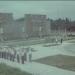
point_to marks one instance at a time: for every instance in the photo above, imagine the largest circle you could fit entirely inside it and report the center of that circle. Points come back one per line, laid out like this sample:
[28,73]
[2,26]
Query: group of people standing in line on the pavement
[12,54]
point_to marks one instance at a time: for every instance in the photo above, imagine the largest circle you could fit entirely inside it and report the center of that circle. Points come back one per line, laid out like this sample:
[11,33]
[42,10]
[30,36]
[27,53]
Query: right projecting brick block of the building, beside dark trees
[36,25]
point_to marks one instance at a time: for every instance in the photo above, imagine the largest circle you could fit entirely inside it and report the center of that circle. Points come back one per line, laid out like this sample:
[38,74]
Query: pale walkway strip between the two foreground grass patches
[38,69]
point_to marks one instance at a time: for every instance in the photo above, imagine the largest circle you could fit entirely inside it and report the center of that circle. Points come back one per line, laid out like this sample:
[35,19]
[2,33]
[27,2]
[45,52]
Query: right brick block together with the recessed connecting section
[32,26]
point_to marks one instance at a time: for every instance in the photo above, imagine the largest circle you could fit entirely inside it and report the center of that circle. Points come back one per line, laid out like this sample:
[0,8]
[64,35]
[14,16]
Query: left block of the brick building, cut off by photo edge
[6,25]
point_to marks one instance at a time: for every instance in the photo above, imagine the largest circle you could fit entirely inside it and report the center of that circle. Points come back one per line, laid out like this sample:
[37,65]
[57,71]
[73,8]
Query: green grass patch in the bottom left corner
[6,70]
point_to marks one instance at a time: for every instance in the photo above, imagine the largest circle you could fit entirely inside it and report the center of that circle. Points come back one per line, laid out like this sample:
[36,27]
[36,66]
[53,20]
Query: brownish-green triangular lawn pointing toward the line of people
[60,61]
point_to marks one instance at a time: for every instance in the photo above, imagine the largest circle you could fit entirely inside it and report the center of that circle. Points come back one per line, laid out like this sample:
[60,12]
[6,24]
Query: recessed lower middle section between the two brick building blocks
[20,28]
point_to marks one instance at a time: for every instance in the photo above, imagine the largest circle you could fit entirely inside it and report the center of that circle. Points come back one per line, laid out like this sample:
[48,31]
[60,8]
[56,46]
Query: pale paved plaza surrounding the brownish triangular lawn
[40,52]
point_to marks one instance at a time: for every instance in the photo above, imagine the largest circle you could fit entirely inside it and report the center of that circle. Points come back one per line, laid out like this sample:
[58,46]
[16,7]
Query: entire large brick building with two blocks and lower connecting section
[32,25]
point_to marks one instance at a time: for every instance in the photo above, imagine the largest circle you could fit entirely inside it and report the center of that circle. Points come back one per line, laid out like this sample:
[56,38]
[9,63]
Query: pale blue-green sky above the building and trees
[53,9]
